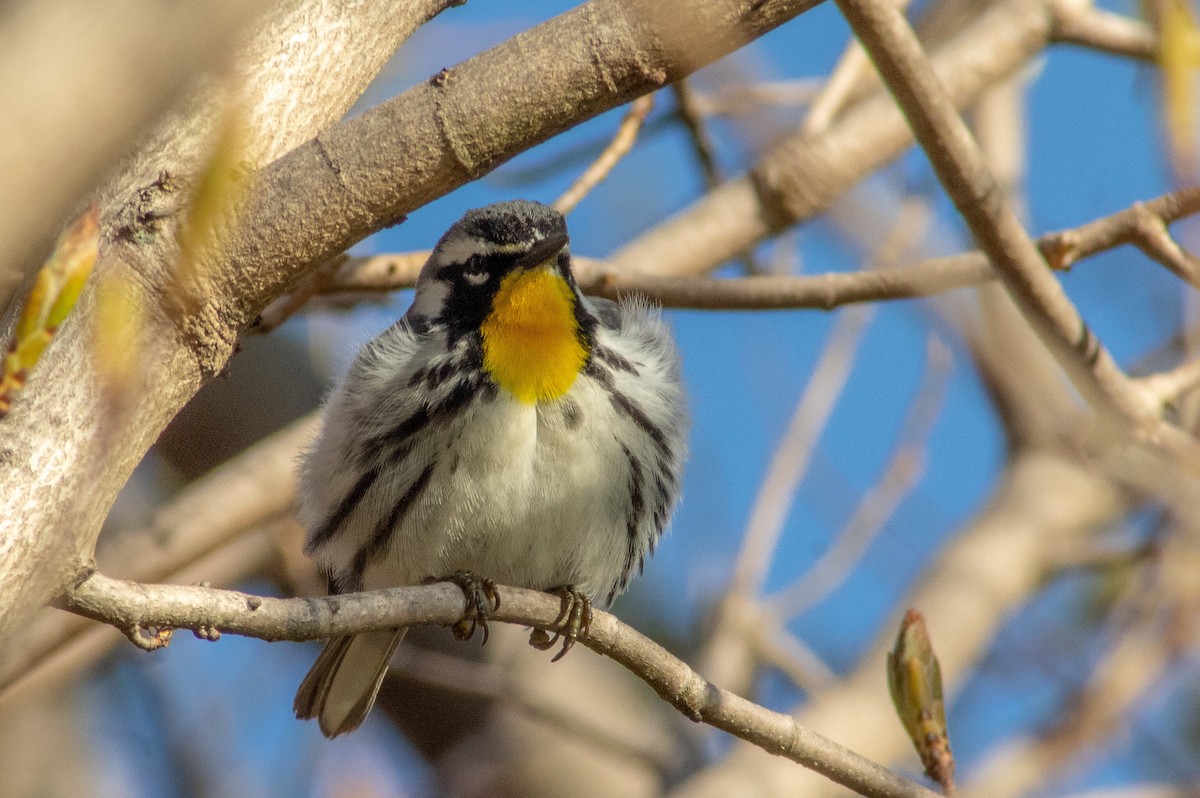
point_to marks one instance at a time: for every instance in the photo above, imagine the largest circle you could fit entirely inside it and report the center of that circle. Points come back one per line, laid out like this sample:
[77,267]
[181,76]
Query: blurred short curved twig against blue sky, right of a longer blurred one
[878,506]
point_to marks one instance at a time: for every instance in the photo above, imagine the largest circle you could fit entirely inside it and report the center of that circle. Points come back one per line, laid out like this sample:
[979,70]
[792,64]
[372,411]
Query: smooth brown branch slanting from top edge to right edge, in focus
[962,170]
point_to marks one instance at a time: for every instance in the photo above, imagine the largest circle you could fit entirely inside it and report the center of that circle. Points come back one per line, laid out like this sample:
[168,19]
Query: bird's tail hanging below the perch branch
[343,685]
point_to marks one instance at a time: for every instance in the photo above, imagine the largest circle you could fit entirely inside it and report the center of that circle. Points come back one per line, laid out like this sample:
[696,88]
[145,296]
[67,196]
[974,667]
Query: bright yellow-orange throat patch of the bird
[532,344]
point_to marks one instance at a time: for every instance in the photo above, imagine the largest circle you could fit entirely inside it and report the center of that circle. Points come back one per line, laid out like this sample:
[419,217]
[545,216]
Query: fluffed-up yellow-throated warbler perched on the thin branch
[506,429]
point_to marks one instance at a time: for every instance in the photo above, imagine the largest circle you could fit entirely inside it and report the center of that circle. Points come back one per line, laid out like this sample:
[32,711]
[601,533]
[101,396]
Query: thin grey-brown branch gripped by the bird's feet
[129,604]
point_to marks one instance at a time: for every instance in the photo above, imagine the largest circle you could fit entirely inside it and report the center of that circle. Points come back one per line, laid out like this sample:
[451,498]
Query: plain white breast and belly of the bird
[531,496]
